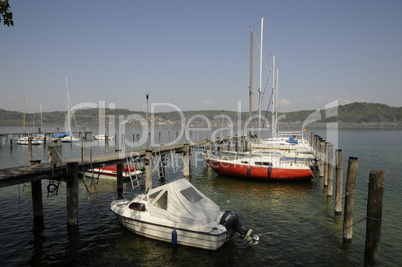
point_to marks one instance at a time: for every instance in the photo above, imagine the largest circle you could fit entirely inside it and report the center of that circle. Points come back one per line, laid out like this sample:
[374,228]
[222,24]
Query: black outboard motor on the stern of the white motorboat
[231,221]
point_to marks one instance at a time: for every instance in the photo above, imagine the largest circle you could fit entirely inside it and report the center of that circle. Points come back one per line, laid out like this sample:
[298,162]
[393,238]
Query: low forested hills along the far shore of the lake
[356,114]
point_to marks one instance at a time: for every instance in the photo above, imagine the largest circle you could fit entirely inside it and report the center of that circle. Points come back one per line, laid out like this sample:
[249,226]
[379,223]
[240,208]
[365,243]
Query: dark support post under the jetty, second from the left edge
[72,194]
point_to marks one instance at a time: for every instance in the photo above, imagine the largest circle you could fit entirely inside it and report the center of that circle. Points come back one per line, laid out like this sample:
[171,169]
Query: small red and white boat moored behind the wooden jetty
[110,172]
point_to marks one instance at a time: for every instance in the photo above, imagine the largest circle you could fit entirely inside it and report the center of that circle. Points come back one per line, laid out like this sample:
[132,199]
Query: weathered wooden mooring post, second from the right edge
[350,199]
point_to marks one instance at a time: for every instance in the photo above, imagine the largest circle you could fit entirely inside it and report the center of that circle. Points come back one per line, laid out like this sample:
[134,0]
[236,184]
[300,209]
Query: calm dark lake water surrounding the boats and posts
[295,221]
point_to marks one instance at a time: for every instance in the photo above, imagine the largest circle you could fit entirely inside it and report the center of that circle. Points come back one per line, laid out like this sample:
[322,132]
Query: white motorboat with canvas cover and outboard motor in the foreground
[179,213]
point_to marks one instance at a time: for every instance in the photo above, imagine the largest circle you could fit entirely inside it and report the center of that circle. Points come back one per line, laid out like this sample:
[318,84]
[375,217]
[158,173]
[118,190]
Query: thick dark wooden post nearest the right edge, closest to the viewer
[374,218]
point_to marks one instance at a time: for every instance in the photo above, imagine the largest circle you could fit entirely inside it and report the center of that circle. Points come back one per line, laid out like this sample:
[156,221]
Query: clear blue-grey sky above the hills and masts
[195,55]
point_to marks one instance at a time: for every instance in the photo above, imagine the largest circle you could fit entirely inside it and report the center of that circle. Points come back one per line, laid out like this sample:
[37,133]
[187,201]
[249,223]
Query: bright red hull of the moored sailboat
[225,168]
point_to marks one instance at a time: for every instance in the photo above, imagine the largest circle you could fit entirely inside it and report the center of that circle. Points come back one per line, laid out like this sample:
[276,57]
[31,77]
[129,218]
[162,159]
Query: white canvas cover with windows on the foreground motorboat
[181,202]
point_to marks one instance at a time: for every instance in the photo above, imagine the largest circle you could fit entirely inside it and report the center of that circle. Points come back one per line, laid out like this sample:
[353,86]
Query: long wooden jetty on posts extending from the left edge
[68,170]
